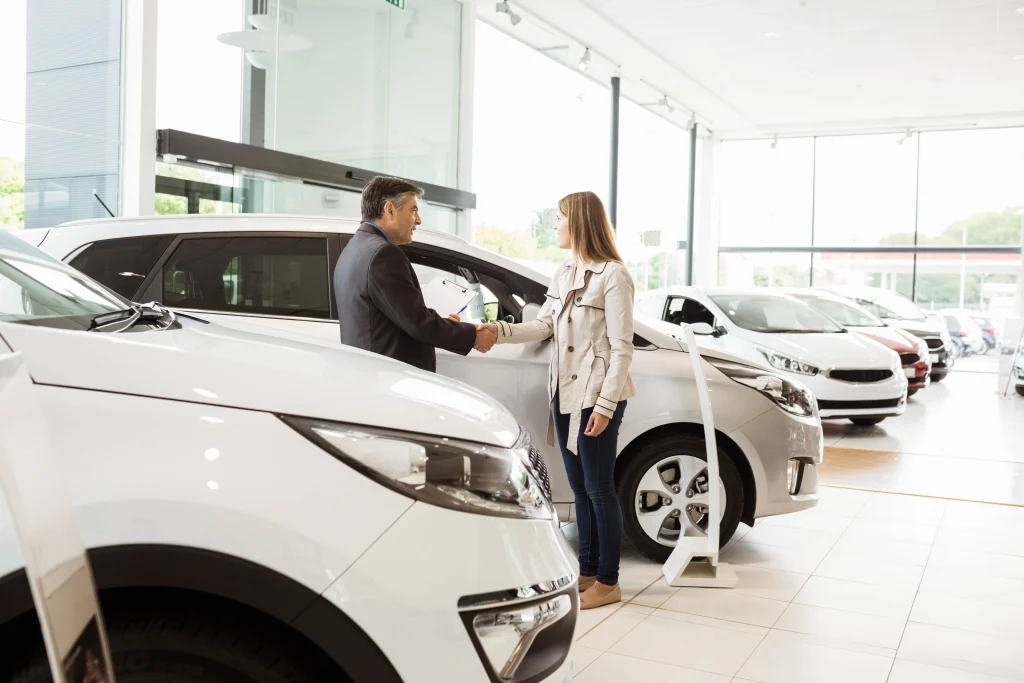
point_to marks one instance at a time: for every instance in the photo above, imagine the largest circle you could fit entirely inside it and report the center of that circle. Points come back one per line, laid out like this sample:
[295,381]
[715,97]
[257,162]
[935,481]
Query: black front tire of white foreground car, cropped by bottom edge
[175,642]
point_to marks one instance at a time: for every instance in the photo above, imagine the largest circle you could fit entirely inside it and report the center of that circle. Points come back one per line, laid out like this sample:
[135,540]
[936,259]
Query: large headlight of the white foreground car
[459,476]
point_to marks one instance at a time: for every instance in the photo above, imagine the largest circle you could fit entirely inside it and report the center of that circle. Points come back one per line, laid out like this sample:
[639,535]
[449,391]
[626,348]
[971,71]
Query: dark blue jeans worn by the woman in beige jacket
[592,478]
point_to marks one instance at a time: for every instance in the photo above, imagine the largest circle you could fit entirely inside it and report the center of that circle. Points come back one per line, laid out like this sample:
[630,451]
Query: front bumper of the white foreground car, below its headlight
[413,590]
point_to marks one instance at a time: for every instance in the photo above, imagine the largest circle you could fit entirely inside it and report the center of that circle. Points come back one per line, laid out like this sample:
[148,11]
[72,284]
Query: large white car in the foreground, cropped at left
[267,511]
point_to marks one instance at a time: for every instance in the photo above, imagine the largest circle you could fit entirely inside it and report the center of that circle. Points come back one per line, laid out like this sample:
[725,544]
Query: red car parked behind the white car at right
[913,352]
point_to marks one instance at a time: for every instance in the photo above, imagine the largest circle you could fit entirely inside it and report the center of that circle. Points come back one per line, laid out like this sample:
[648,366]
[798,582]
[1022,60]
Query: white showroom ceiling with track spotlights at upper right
[764,68]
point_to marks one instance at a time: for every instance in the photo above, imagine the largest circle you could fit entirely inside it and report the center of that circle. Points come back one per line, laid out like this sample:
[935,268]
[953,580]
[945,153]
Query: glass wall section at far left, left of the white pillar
[60,110]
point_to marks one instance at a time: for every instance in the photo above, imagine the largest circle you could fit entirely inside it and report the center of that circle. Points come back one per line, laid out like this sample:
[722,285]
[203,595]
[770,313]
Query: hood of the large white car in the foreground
[210,364]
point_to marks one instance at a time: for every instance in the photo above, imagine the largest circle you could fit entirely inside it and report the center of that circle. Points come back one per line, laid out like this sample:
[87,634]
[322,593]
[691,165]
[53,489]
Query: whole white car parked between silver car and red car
[850,375]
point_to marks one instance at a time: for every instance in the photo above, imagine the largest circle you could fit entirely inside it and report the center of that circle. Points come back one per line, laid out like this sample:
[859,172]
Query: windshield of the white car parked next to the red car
[766,313]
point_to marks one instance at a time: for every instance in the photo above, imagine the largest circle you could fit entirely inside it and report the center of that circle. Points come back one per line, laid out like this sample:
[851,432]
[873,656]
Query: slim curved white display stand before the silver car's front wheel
[695,560]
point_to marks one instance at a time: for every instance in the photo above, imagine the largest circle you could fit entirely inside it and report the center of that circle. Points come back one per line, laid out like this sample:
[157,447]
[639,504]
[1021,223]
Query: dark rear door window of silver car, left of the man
[274,276]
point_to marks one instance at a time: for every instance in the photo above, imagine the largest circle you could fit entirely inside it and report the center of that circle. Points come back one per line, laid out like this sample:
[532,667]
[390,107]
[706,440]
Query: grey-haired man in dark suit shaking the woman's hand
[380,305]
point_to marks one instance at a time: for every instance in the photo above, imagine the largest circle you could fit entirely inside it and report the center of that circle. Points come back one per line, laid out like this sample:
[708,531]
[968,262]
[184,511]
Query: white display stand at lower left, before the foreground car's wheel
[56,564]
